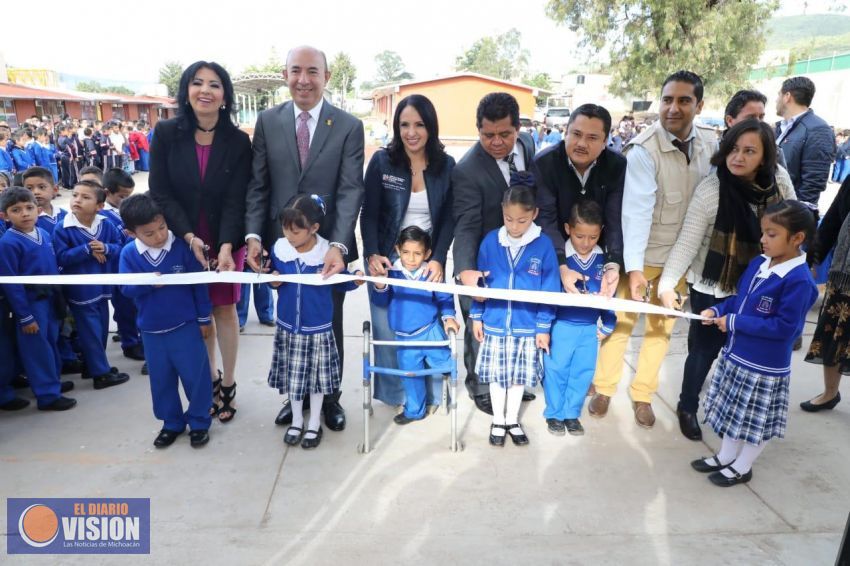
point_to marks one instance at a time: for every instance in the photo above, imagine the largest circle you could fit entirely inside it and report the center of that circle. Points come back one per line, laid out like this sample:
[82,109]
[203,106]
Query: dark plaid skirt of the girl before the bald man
[304,364]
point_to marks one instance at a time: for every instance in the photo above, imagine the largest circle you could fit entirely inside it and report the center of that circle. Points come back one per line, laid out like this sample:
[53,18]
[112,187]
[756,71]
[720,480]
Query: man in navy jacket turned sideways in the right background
[806,140]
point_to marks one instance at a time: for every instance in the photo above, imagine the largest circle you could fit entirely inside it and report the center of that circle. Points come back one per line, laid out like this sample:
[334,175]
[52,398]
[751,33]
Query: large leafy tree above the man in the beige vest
[649,39]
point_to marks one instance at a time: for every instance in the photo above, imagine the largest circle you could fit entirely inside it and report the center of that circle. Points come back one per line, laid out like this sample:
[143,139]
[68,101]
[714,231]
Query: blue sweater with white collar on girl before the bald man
[304,309]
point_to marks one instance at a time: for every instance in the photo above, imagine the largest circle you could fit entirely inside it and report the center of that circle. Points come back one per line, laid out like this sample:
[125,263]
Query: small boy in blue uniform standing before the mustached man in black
[577,331]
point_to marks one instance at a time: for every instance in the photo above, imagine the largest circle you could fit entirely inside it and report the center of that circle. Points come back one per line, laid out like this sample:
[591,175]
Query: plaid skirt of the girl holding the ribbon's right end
[745,405]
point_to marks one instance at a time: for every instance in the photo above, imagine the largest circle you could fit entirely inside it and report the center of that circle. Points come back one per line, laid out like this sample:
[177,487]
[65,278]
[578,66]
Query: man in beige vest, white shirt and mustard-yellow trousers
[665,164]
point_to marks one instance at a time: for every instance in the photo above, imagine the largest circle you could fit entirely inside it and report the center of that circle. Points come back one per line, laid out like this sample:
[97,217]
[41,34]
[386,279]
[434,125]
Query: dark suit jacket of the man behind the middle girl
[478,186]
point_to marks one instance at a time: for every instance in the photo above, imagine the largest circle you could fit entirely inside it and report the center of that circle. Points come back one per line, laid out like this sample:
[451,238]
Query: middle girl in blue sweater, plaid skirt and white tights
[516,256]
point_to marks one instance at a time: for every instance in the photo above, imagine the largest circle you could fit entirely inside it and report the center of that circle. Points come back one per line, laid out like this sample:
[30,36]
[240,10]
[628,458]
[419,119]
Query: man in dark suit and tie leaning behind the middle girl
[479,180]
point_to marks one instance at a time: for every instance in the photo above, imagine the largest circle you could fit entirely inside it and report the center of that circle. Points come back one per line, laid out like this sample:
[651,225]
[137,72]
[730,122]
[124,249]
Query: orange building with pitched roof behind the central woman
[455,98]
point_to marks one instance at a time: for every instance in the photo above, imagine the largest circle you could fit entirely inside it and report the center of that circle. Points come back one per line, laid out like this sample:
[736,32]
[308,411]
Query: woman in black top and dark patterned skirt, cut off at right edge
[831,342]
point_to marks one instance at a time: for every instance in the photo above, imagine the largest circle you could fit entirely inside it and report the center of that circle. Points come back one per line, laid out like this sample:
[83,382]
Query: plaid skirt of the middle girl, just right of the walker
[509,360]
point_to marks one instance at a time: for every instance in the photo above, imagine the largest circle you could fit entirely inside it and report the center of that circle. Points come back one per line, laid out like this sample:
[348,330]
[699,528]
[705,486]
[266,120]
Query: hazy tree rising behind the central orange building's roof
[501,56]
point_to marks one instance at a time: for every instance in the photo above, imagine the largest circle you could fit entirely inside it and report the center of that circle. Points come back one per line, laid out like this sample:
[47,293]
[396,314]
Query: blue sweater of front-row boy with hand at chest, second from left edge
[74,256]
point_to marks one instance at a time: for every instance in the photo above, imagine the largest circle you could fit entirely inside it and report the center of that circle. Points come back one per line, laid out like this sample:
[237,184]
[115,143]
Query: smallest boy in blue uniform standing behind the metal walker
[416,314]
